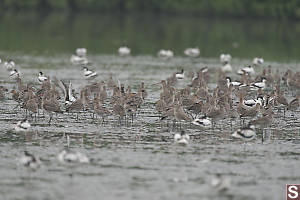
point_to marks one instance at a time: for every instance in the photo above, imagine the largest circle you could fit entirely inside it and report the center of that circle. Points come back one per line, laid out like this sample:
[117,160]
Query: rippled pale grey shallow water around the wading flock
[138,160]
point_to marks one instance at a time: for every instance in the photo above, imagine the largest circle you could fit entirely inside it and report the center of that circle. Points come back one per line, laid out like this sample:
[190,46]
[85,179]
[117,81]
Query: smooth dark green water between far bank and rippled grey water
[57,33]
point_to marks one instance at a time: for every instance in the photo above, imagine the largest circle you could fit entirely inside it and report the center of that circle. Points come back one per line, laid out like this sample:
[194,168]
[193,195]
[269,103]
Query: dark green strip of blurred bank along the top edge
[234,9]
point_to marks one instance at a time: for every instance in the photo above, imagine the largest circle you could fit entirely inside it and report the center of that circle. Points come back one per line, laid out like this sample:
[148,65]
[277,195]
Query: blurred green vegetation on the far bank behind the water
[289,9]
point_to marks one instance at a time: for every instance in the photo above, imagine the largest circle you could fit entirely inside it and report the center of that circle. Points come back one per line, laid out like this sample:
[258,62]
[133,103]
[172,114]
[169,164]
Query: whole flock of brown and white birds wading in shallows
[254,97]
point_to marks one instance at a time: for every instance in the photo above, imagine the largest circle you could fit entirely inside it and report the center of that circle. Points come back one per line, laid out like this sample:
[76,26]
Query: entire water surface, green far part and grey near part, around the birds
[139,160]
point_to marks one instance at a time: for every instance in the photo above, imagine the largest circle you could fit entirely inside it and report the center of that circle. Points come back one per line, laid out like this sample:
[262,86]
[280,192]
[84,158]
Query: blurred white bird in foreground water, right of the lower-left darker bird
[68,156]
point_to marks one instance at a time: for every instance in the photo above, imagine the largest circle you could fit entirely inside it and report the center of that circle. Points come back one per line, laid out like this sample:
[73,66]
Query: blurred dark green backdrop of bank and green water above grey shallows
[244,29]
